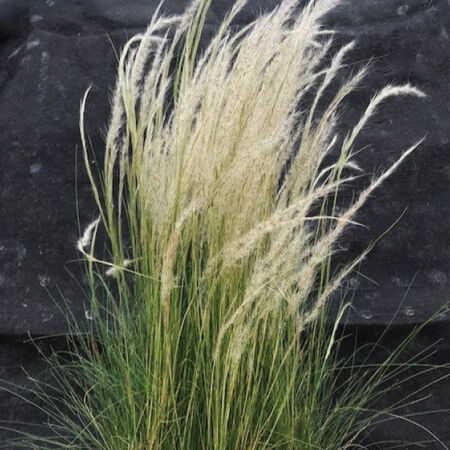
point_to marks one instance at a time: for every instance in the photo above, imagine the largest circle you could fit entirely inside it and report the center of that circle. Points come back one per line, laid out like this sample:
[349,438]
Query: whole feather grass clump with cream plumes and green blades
[219,215]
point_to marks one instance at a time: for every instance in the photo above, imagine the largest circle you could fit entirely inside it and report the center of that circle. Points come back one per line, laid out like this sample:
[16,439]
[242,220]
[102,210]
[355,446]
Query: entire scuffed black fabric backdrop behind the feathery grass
[52,50]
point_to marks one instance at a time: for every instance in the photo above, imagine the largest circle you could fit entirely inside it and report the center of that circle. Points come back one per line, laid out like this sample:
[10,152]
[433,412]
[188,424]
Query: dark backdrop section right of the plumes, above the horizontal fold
[408,42]
